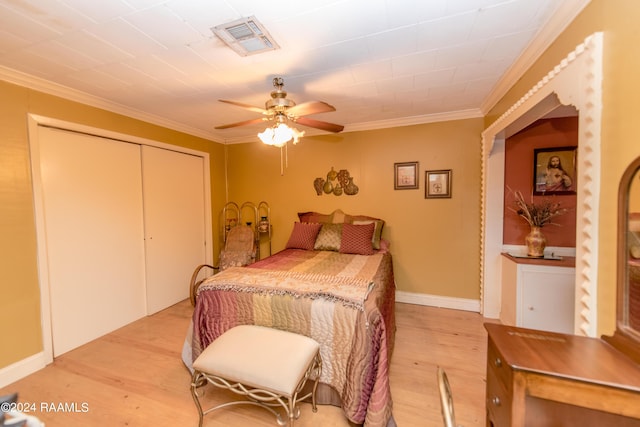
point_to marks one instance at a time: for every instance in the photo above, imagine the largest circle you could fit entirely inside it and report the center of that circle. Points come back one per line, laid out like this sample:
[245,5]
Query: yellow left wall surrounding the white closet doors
[19,291]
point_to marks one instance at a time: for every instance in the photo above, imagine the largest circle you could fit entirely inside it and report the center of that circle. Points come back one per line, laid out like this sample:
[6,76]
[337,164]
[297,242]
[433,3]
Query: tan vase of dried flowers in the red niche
[537,216]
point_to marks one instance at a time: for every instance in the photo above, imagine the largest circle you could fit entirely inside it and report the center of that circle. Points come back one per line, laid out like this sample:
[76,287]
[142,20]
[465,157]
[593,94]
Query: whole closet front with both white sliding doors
[121,225]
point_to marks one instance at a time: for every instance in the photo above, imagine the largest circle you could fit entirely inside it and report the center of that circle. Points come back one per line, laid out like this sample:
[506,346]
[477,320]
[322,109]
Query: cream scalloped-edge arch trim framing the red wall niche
[577,81]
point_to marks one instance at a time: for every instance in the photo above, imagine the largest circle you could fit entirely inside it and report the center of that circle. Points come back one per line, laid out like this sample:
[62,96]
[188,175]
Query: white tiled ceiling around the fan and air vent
[379,62]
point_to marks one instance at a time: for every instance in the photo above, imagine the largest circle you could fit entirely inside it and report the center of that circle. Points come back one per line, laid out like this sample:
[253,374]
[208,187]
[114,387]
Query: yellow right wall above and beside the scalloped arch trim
[618,20]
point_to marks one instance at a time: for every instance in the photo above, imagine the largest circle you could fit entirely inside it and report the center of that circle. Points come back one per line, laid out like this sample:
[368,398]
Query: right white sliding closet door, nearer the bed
[174,213]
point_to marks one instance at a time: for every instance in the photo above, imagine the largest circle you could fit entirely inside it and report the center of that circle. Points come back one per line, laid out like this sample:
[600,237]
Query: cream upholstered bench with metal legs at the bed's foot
[269,366]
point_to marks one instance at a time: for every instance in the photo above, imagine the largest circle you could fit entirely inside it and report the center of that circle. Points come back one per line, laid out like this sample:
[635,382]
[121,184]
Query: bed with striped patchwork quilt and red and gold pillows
[333,282]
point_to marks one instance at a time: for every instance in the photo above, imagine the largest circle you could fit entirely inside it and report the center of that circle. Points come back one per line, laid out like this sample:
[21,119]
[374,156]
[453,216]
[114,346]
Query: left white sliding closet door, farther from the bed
[93,215]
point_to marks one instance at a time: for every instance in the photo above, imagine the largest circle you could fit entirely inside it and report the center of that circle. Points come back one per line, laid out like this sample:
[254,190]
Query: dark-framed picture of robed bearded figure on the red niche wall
[554,170]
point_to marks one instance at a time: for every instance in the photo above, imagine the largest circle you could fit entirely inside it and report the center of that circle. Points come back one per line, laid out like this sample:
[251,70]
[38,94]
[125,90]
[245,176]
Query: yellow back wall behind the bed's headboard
[434,242]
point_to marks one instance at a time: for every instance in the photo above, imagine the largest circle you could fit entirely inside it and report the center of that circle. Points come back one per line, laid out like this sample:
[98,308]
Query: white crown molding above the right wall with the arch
[566,13]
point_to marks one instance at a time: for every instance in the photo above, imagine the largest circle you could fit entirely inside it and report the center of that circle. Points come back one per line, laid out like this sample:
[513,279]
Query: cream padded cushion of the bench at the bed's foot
[259,357]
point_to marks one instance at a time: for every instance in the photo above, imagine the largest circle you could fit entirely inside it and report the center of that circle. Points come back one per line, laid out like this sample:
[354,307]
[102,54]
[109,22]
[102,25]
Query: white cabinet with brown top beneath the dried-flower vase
[538,294]
